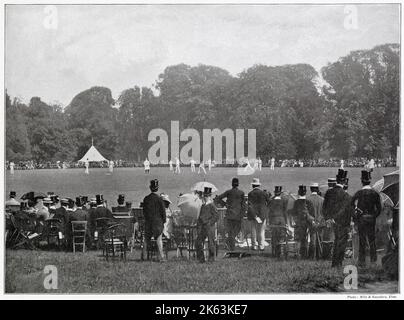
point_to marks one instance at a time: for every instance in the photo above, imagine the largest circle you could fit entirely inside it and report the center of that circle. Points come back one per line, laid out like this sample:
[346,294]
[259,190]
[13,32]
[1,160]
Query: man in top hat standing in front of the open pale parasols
[207,219]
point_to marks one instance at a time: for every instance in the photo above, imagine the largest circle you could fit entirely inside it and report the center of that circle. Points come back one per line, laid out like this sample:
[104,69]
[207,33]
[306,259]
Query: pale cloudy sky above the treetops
[122,46]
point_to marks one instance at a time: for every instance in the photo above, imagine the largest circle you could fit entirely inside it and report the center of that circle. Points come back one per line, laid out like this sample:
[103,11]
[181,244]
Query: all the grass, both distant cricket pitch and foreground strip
[90,273]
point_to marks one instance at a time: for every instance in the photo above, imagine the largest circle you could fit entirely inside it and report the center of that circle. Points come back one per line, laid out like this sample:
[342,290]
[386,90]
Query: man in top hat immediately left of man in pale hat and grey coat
[303,215]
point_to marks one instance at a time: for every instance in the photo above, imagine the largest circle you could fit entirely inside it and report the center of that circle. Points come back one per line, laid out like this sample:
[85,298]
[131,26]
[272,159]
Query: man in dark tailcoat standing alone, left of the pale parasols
[155,216]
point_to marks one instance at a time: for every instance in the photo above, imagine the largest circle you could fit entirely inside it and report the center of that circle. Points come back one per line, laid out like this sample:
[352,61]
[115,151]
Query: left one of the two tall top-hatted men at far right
[337,212]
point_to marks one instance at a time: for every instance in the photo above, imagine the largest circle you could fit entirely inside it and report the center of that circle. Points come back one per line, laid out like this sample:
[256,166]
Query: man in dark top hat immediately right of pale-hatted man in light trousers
[277,217]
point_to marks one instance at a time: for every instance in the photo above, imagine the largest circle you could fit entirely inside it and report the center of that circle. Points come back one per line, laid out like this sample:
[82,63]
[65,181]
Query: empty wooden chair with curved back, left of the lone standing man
[115,242]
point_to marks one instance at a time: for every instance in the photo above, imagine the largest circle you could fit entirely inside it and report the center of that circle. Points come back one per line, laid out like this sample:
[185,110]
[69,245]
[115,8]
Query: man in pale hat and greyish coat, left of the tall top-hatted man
[317,227]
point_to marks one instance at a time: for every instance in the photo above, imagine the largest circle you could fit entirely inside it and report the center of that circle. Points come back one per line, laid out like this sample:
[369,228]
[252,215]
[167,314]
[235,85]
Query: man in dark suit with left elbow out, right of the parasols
[236,208]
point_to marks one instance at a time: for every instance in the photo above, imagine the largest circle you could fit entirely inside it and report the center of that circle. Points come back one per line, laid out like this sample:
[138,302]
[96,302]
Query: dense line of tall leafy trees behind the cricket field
[355,114]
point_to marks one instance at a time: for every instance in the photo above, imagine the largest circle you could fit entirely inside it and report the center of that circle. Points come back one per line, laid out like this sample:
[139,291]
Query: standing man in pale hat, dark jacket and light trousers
[258,201]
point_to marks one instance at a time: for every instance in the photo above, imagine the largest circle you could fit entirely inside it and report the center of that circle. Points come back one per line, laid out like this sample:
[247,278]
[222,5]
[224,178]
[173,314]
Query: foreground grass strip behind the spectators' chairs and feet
[90,273]
